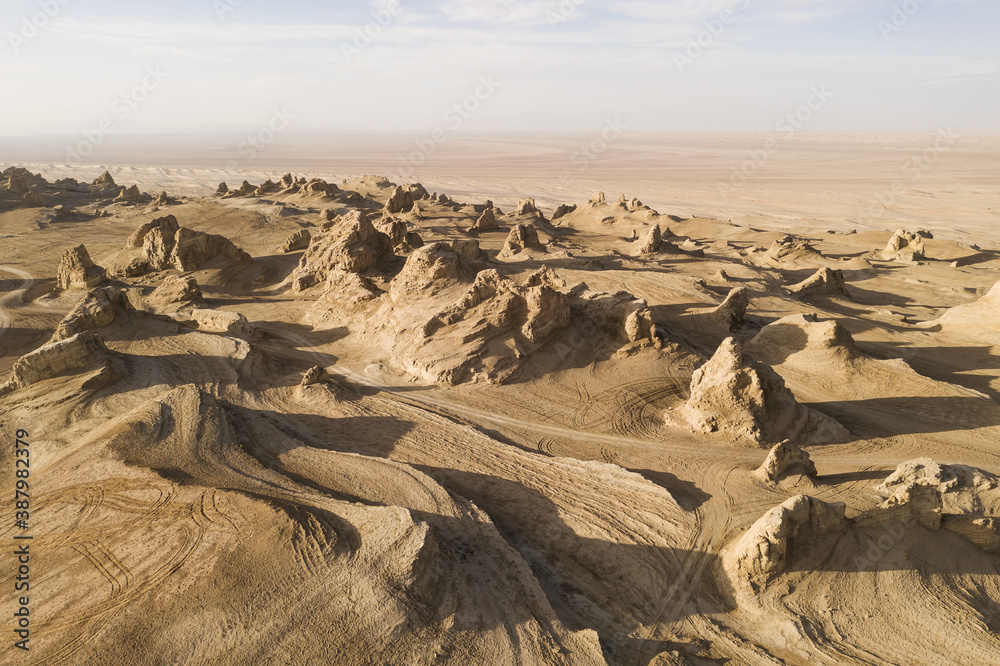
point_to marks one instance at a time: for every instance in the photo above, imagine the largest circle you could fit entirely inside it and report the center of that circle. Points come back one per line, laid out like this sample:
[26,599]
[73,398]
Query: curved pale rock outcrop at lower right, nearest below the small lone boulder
[762,552]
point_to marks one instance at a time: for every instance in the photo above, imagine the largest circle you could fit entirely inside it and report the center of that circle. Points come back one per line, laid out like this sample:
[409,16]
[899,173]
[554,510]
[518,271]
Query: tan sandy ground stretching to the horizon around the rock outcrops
[192,503]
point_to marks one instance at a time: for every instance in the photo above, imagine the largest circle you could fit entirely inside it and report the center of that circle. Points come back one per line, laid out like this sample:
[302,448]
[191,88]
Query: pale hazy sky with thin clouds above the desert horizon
[73,66]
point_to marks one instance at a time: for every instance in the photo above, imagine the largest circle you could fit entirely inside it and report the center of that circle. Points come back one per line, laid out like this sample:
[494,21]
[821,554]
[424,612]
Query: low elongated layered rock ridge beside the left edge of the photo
[84,351]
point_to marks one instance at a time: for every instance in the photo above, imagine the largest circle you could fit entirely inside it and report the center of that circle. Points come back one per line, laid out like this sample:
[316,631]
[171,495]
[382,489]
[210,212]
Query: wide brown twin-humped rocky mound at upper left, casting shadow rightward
[163,244]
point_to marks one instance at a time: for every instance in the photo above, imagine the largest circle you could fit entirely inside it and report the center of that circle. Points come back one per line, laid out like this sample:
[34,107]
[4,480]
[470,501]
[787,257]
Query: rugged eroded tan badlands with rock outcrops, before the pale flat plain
[362,423]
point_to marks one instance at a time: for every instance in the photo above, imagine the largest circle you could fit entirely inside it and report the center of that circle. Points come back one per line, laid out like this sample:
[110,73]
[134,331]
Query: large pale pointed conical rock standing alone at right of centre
[749,403]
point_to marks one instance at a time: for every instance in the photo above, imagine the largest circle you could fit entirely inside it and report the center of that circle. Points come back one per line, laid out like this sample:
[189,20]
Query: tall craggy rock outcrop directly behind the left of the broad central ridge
[349,243]
